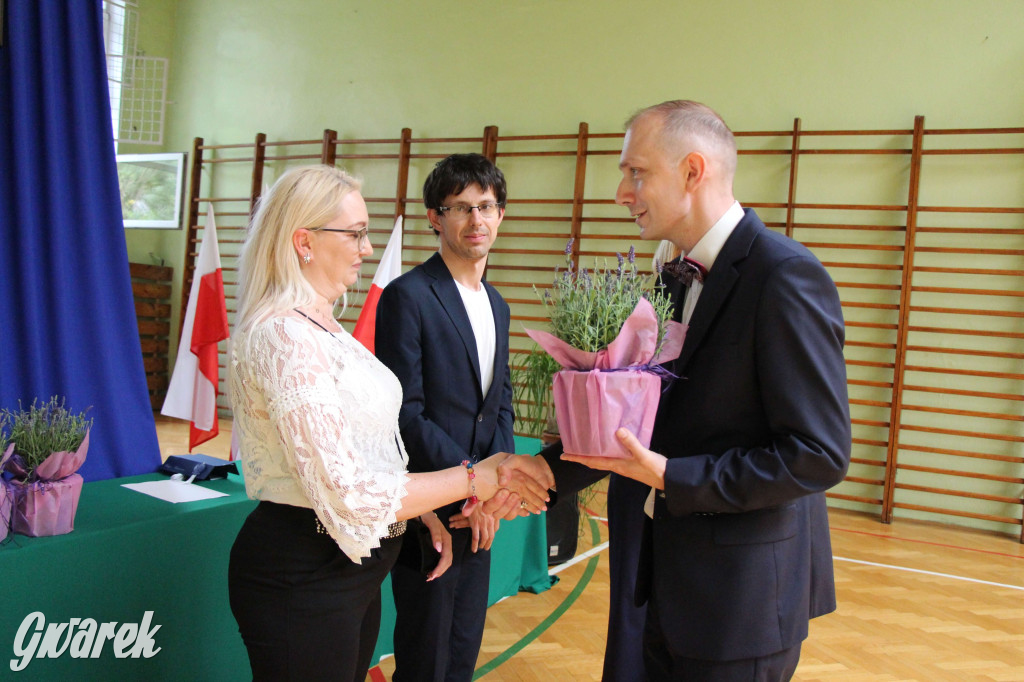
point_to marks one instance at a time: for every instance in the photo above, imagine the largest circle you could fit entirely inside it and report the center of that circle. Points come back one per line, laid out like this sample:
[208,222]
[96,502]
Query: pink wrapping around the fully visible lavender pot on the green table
[45,504]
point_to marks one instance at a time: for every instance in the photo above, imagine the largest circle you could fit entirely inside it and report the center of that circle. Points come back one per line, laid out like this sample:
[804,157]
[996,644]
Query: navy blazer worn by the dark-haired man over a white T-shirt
[424,336]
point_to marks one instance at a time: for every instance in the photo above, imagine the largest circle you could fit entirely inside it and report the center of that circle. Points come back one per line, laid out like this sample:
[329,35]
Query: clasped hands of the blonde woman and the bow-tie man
[510,486]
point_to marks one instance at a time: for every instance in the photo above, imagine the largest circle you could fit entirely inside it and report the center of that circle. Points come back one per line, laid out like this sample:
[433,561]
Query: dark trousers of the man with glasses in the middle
[440,625]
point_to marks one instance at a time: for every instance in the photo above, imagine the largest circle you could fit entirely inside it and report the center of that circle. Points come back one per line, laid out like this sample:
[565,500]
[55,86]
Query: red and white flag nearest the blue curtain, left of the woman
[193,394]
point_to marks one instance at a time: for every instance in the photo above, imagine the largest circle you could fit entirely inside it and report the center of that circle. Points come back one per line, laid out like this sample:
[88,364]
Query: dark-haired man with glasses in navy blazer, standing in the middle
[445,333]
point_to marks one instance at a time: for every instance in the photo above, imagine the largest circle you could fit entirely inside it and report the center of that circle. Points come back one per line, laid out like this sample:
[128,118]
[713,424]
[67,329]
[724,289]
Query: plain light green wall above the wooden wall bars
[448,67]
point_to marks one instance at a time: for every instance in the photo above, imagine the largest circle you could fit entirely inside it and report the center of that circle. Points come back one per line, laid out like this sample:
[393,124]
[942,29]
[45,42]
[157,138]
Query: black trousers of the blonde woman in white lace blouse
[305,610]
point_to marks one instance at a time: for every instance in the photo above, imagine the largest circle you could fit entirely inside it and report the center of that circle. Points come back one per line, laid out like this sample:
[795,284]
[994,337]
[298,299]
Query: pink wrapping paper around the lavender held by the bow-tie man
[599,393]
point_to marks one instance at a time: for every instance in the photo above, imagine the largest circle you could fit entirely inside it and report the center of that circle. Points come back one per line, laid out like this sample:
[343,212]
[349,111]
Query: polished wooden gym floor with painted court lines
[918,602]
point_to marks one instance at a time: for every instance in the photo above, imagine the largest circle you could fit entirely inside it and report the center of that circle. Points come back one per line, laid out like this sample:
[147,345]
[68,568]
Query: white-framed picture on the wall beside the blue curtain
[152,189]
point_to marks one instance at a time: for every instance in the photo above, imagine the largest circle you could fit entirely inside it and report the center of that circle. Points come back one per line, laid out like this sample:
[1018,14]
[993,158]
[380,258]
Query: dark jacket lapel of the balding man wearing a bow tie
[720,282]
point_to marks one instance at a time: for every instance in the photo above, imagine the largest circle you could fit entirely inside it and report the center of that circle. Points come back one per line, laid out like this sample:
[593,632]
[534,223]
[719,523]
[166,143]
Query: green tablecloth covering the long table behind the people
[131,553]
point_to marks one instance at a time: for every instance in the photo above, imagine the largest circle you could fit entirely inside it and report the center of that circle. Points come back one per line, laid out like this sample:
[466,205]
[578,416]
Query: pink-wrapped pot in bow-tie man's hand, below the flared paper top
[592,406]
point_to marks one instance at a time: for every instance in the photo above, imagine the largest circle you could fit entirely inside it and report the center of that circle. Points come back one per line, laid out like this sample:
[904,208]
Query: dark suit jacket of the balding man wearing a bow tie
[738,558]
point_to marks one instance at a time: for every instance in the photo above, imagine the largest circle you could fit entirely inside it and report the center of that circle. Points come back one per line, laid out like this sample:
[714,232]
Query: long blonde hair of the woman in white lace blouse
[270,276]
